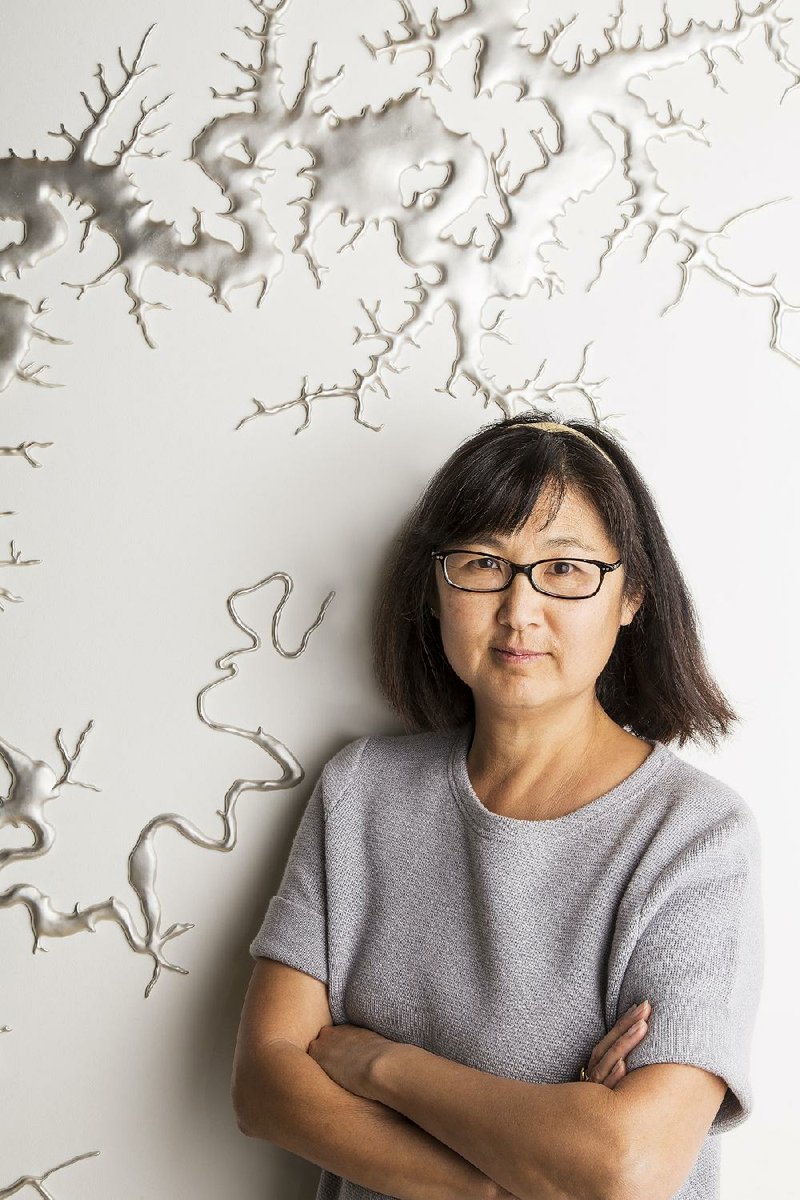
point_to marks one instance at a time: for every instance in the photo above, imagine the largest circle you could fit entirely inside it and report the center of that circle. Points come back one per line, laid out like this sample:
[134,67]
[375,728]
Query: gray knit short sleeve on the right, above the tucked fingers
[699,958]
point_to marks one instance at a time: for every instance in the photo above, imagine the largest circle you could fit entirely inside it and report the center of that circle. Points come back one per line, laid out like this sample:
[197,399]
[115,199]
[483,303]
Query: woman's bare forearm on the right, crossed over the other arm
[556,1142]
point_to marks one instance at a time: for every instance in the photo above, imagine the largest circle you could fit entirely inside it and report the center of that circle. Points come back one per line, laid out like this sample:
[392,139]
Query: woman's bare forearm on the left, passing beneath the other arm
[298,1107]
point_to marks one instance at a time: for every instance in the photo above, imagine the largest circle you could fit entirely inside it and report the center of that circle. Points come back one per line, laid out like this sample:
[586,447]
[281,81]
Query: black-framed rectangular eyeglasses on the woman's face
[473,572]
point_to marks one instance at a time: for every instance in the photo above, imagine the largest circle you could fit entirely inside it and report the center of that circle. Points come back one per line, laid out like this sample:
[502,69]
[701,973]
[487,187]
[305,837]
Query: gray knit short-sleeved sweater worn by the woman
[514,946]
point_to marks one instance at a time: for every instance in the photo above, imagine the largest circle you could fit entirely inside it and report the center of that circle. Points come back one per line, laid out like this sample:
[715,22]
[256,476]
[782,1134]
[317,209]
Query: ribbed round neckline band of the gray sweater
[495,825]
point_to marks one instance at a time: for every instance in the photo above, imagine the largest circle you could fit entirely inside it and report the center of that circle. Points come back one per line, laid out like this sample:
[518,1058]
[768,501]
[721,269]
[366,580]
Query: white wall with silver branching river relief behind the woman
[618,199]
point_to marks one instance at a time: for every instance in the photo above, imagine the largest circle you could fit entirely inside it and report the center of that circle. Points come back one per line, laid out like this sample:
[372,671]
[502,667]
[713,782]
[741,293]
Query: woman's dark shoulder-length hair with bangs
[657,681]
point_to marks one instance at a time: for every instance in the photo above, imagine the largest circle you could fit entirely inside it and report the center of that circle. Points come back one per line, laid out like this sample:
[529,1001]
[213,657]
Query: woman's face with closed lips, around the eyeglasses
[576,637]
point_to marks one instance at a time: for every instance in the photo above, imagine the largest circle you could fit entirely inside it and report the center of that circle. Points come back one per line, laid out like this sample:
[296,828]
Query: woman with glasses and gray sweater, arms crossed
[471,910]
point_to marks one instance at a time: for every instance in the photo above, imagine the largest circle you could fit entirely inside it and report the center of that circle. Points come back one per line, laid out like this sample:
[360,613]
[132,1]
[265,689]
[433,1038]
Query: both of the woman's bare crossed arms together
[412,1125]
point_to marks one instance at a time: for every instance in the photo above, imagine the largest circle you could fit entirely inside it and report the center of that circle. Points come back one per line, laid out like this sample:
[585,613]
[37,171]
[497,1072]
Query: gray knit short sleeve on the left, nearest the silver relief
[294,929]
